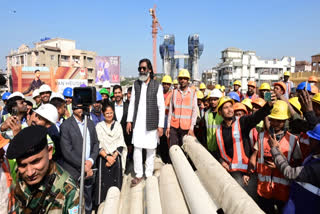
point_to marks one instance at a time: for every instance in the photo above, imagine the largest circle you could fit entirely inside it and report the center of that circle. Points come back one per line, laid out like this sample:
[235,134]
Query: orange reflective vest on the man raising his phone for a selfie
[239,161]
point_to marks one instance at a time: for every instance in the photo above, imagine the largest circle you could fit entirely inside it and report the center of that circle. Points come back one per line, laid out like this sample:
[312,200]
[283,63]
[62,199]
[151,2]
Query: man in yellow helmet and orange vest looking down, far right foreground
[273,187]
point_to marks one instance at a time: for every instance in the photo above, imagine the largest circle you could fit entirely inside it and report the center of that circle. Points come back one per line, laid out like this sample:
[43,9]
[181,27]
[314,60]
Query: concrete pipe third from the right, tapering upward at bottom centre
[172,200]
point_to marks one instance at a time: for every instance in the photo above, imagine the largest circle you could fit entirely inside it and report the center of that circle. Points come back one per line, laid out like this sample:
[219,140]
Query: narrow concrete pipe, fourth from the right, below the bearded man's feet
[153,196]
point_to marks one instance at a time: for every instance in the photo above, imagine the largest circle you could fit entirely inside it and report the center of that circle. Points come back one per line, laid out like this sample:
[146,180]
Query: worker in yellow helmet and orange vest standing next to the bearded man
[183,110]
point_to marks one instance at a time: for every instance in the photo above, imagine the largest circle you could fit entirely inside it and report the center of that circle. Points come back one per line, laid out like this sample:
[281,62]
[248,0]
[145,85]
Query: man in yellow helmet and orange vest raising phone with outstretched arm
[233,140]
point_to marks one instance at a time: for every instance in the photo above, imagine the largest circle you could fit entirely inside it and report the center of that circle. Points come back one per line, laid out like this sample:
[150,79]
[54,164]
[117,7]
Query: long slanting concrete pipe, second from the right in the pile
[198,199]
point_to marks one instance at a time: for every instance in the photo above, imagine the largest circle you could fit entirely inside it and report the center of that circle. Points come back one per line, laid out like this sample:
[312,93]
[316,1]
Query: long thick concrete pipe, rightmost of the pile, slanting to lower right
[218,182]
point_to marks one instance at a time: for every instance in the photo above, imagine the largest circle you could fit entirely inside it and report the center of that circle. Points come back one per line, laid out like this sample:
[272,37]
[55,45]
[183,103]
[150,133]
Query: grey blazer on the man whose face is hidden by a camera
[71,145]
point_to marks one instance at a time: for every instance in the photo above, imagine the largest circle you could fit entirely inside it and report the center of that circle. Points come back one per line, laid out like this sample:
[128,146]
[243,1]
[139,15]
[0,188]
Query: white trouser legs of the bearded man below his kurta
[138,165]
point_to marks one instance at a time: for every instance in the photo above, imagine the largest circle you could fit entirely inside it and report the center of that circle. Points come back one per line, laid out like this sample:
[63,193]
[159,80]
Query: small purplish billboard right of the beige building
[108,68]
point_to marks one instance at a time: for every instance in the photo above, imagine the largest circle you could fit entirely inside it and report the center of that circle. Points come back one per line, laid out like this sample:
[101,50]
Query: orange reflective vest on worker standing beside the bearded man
[182,109]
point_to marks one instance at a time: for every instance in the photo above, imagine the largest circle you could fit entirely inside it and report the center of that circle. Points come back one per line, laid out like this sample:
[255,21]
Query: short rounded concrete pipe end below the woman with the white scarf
[111,205]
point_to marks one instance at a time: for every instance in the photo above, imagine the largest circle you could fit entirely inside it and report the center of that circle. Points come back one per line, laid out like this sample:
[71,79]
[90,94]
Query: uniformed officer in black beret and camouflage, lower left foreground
[42,185]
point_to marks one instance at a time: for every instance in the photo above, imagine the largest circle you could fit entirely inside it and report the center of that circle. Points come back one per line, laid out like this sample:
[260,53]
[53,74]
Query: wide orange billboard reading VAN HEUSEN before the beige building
[56,78]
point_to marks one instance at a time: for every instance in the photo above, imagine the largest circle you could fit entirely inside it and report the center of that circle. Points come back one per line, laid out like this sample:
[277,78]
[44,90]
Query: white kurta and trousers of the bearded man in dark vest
[142,138]
